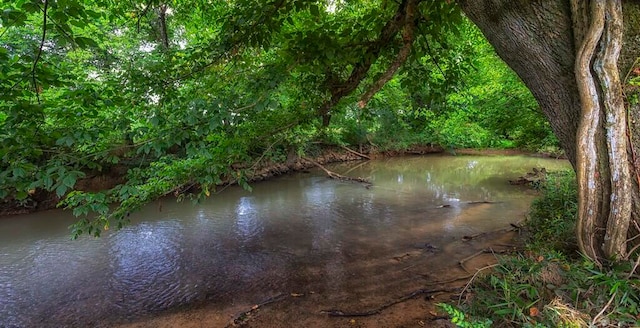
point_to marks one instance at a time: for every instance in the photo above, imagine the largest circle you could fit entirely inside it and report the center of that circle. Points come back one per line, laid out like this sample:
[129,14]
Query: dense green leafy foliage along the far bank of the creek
[182,97]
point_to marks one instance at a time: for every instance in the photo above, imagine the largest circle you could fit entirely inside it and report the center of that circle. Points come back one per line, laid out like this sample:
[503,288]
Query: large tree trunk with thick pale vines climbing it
[566,52]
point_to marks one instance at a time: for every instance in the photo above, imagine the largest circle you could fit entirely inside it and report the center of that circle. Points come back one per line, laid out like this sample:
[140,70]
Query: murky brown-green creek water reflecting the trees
[298,233]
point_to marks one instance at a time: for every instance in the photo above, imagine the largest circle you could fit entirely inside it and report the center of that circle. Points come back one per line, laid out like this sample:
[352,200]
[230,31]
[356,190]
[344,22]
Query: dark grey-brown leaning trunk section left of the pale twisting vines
[535,39]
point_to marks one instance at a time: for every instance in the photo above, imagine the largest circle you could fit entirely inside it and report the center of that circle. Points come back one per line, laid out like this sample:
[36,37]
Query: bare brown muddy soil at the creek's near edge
[440,280]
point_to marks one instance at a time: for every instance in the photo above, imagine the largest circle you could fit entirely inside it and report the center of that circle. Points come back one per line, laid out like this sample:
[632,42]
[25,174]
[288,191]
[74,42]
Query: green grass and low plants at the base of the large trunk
[549,284]
